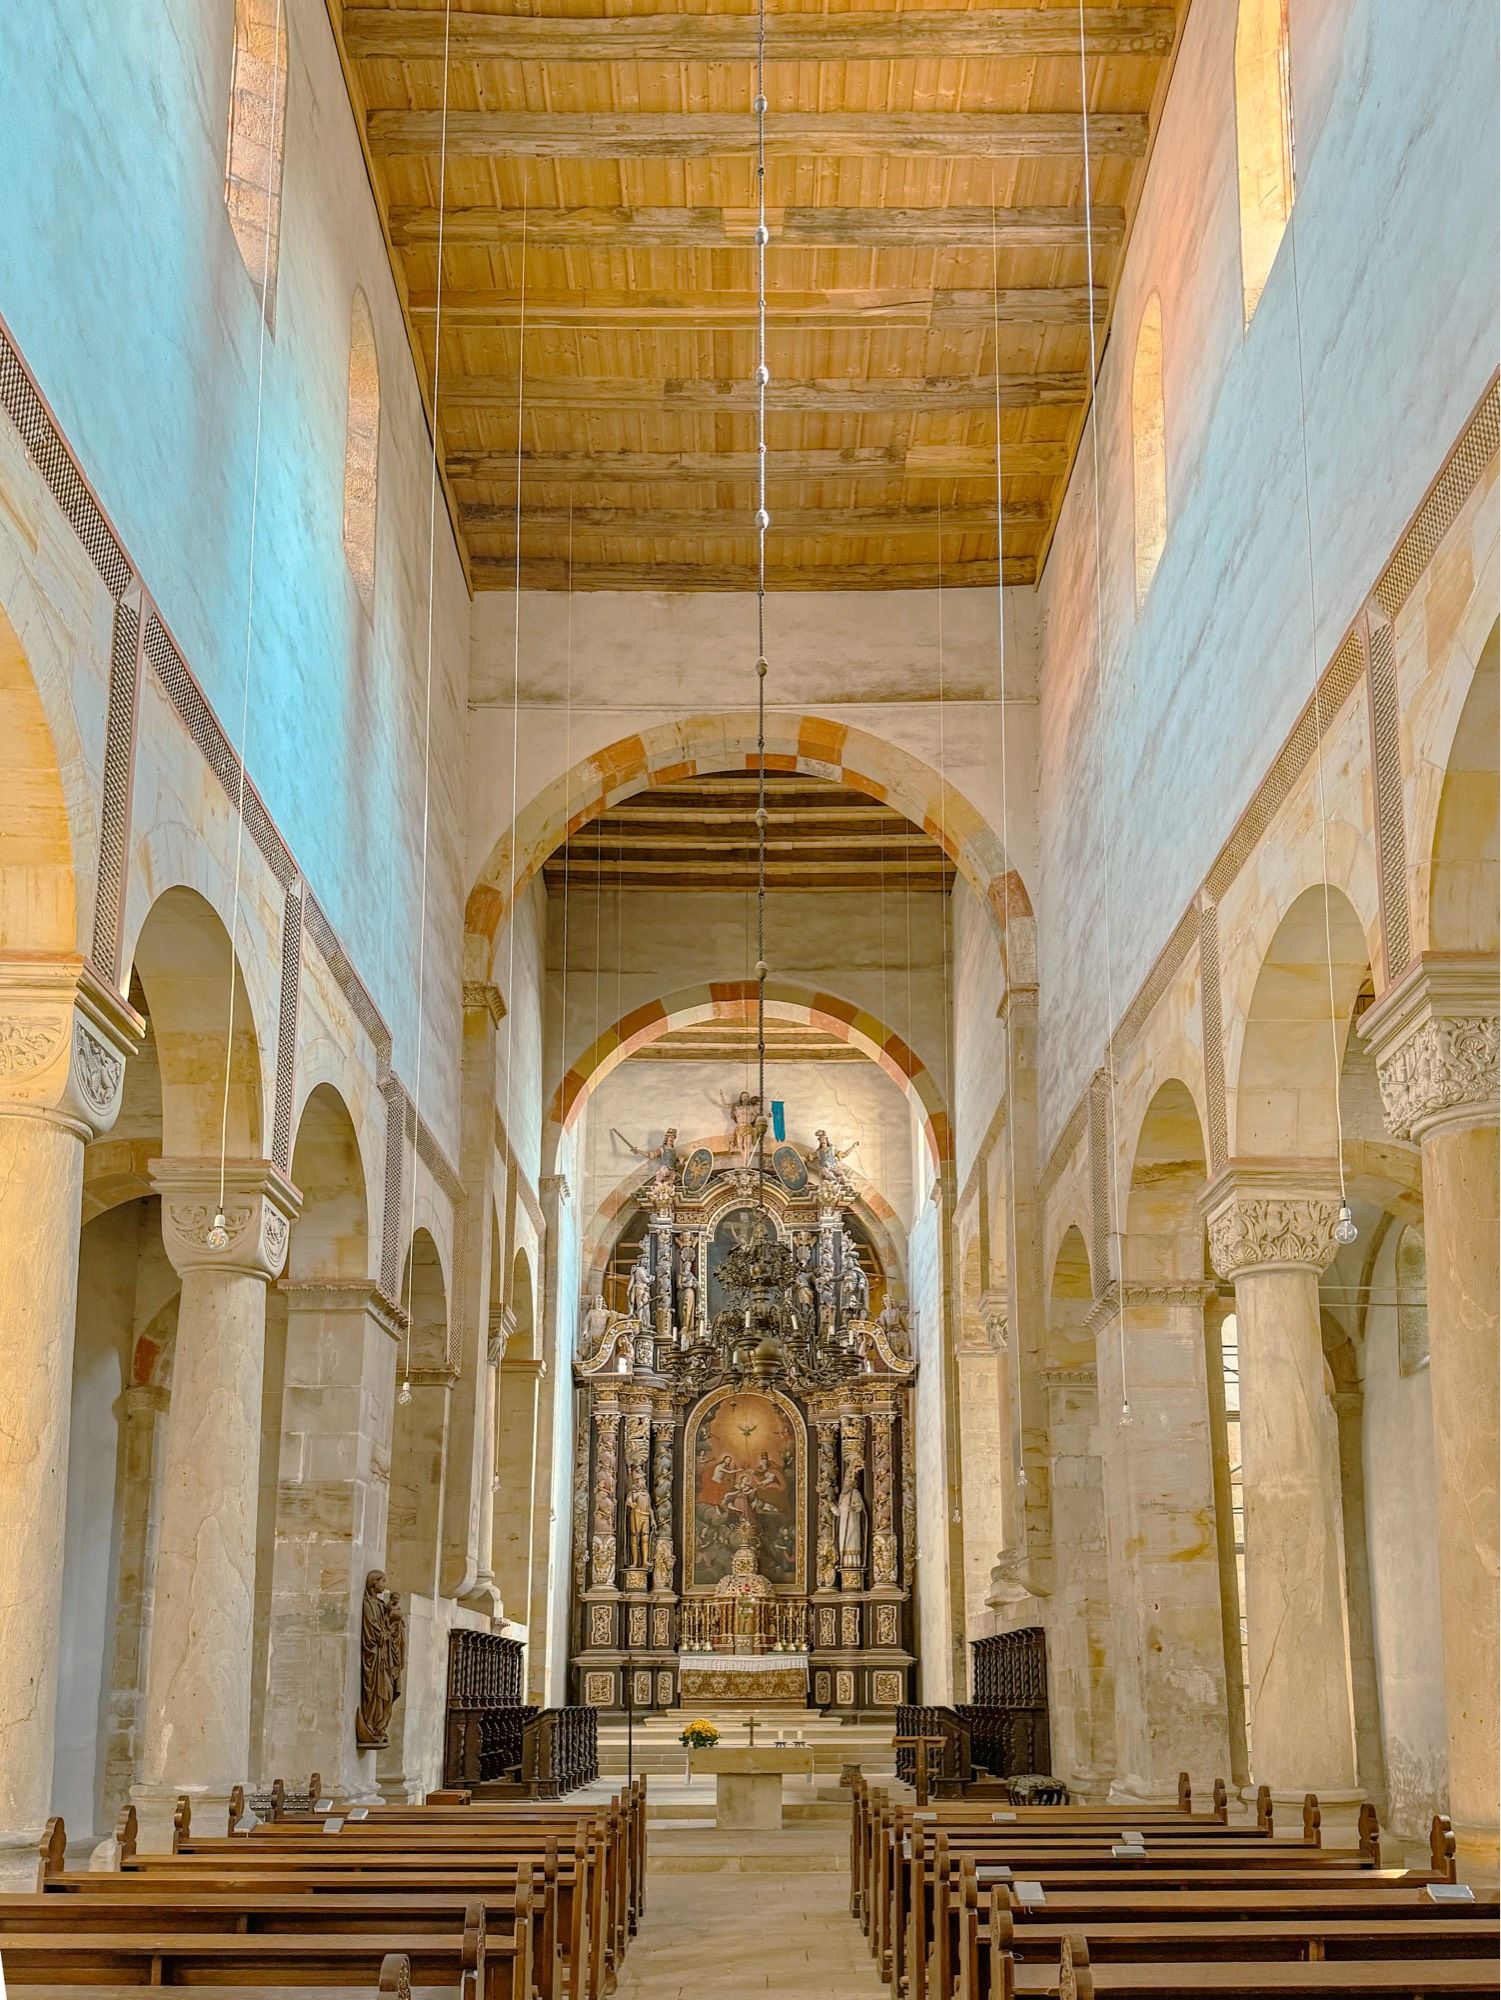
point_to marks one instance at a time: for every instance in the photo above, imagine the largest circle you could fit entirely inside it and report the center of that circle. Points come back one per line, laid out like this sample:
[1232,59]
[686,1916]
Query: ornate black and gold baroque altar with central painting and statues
[743,1515]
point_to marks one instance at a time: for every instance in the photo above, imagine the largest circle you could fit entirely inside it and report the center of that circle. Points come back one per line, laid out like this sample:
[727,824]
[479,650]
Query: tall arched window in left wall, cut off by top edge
[253,169]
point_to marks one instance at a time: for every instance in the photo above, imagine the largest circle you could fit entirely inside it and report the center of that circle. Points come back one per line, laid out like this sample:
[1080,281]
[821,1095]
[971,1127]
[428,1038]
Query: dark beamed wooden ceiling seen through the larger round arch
[701,835]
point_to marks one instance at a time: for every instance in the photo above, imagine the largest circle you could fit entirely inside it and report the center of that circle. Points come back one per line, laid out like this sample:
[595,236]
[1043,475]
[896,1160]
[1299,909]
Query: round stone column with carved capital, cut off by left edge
[63,1047]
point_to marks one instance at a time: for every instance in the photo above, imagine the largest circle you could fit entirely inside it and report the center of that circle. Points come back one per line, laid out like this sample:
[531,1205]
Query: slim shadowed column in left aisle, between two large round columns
[143,1421]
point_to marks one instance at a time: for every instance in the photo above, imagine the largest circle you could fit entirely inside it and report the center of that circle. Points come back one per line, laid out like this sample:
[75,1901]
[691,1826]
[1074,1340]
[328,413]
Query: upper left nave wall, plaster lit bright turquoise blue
[127,297]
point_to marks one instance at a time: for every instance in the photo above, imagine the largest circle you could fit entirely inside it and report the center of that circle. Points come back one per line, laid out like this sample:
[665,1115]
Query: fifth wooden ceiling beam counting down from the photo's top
[838,399]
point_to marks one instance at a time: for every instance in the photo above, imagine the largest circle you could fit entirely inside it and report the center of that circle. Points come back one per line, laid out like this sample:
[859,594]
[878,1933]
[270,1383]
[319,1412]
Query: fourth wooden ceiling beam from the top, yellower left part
[950,311]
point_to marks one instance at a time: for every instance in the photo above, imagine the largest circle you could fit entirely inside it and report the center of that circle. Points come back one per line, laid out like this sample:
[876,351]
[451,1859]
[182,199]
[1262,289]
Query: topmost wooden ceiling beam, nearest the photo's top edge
[675,37]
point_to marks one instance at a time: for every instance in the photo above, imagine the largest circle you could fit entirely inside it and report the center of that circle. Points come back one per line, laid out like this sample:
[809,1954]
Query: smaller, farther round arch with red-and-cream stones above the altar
[737,1001]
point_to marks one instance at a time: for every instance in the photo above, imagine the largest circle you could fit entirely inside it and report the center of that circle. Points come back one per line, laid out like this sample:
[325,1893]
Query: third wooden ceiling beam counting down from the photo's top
[731,229]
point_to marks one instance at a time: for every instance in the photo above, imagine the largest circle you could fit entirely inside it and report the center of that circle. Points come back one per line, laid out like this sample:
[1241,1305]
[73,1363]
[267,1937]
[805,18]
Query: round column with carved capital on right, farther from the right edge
[1272,1229]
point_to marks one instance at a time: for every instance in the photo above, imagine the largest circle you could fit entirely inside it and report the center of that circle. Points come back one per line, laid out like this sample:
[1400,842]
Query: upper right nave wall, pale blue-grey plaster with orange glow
[1148,763]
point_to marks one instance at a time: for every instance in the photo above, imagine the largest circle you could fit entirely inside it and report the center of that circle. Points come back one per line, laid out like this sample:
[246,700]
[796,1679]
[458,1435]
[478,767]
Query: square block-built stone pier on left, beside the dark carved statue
[331,1529]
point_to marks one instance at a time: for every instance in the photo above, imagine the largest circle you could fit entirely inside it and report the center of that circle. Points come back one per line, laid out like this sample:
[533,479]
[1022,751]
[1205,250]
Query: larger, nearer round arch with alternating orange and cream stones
[818,747]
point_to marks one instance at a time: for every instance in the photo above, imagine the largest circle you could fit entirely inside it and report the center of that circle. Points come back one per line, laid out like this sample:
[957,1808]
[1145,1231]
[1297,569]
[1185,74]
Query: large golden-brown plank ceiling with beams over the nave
[926,191]
